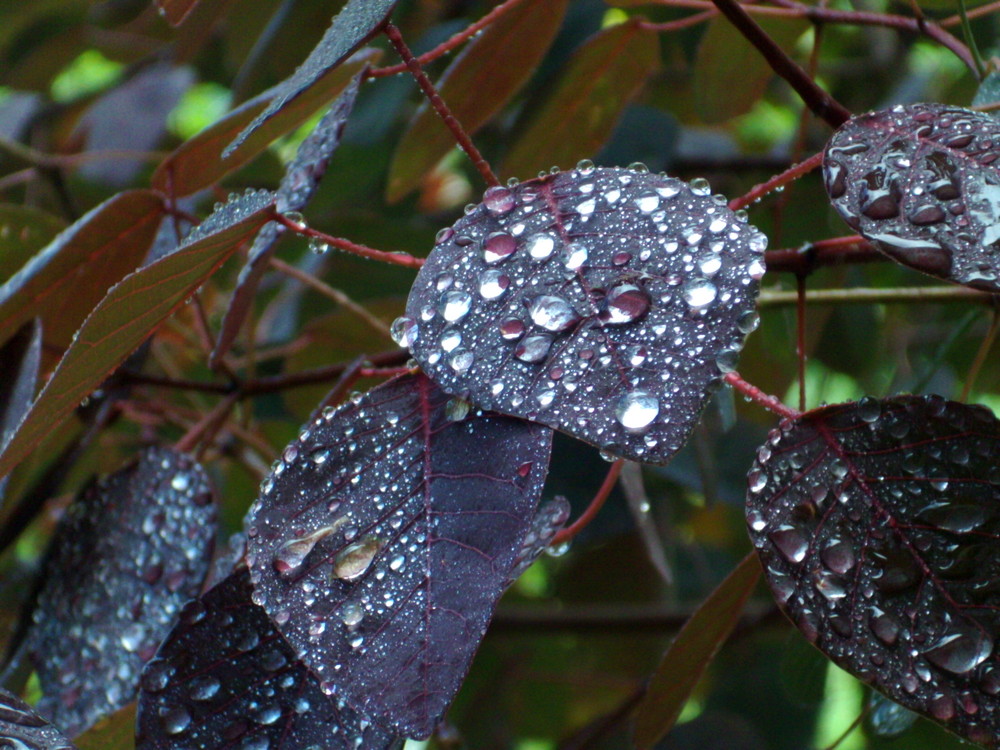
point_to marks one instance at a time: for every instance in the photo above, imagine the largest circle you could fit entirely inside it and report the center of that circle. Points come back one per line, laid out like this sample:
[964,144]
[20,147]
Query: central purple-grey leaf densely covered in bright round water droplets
[602,302]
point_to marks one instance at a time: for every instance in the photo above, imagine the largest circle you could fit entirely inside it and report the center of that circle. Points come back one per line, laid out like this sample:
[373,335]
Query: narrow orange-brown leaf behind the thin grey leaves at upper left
[198,162]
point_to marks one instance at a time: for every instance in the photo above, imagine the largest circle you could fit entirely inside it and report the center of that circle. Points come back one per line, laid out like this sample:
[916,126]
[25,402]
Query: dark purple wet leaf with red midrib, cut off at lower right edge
[877,524]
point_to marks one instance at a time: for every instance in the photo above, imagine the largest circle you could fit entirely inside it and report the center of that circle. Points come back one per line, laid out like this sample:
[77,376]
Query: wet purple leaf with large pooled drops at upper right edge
[922,183]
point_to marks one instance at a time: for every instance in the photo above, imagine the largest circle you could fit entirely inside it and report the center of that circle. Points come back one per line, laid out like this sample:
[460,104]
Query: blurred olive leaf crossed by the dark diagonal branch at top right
[730,75]
